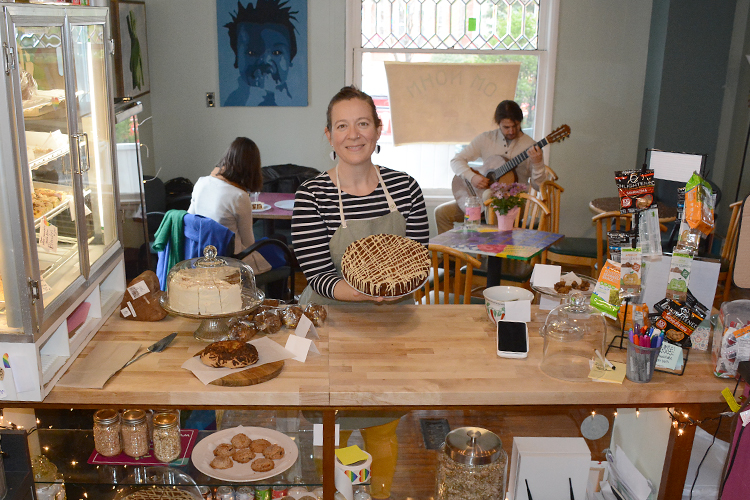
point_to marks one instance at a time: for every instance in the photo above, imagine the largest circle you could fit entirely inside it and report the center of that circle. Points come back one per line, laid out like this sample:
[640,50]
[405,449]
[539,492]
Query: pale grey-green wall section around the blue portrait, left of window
[189,138]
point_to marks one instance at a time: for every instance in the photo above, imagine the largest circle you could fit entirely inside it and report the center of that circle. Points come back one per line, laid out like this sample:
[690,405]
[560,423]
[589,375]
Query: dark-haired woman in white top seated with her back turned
[223,196]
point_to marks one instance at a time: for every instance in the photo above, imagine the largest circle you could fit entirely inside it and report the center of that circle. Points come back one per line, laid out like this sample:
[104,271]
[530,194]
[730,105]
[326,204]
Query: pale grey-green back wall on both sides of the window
[598,92]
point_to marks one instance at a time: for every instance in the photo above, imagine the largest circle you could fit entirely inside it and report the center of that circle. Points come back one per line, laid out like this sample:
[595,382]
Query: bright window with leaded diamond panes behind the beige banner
[452,31]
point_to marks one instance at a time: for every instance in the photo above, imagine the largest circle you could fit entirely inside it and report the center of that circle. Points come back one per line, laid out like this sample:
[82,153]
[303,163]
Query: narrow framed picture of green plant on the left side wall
[131,48]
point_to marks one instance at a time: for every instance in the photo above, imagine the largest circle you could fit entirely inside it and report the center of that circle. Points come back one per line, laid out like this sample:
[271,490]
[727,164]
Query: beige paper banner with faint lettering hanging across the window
[446,103]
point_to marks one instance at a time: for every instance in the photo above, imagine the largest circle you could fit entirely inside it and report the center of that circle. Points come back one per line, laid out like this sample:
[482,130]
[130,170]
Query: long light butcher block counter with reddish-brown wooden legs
[381,356]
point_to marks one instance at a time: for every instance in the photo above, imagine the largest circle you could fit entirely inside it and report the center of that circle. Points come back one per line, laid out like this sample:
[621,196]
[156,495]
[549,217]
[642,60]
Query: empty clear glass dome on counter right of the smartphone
[572,333]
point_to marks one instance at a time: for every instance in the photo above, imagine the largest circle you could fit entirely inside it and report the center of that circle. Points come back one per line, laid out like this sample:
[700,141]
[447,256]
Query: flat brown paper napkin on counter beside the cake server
[93,371]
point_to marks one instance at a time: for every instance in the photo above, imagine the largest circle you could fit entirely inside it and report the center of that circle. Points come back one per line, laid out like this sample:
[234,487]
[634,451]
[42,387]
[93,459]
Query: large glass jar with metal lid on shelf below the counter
[472,465]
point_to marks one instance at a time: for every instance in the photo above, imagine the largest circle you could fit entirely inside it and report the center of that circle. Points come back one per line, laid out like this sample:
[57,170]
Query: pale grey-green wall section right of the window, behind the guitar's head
[601,66]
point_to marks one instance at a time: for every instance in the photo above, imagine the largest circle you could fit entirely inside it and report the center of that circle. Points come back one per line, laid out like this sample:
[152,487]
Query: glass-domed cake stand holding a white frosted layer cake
[212,289]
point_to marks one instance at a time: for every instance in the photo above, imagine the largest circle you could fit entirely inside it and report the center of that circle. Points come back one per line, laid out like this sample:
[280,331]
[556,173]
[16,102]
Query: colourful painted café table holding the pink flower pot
[518,244]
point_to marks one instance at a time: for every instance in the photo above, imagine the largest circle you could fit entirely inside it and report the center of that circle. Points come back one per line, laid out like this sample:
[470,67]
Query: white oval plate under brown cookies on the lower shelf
[203,453]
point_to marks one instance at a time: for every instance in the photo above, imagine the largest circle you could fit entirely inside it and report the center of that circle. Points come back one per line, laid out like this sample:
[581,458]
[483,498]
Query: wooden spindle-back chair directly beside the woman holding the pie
[442,291]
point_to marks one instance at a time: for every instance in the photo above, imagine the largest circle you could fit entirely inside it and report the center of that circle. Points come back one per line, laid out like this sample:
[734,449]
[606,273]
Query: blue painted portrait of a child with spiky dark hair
[262,52]
